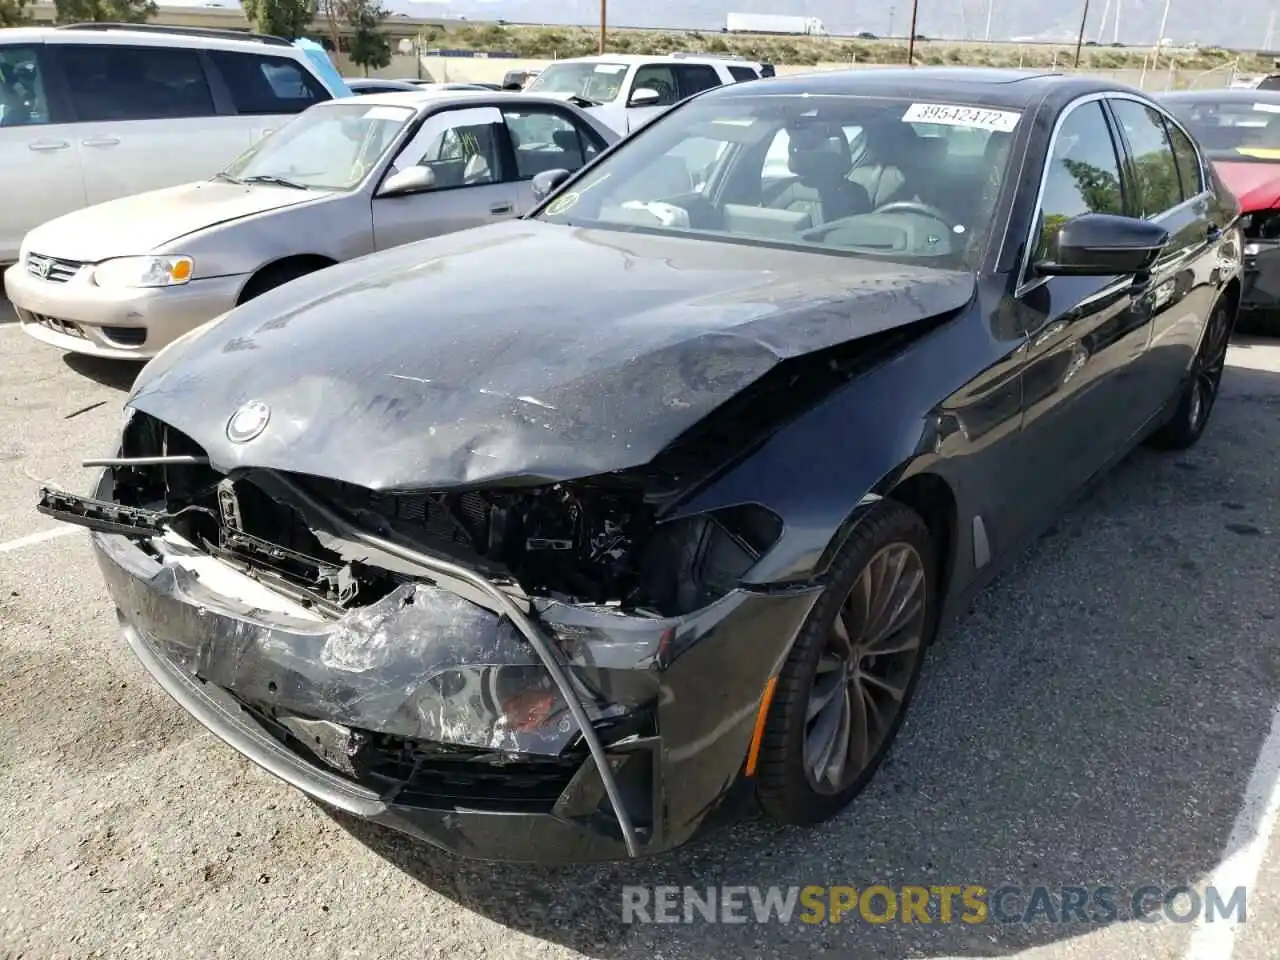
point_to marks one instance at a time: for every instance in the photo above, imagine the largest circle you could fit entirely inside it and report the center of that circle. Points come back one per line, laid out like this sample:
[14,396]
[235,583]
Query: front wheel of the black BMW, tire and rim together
[847,685]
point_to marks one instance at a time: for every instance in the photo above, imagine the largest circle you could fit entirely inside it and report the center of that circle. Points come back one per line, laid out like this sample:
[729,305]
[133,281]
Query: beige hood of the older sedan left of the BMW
[139,225]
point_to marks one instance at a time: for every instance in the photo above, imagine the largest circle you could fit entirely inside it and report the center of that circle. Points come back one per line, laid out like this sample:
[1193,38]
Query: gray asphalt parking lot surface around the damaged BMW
[1094,721]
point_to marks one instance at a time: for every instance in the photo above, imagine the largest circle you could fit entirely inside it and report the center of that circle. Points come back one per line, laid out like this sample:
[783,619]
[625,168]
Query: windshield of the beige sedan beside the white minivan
[332,147]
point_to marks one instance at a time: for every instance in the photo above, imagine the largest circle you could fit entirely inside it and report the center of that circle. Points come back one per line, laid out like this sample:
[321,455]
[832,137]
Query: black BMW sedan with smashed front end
[570,537]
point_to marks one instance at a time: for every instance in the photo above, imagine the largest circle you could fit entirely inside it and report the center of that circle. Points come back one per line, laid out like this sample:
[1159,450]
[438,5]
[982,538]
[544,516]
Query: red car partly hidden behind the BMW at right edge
[1240,131]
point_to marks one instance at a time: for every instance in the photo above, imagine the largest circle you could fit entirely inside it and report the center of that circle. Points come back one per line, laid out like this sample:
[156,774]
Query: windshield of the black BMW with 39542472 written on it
[872,177]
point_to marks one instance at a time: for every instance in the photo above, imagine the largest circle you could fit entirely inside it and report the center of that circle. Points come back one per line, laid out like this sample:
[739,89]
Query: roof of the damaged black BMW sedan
[981,86]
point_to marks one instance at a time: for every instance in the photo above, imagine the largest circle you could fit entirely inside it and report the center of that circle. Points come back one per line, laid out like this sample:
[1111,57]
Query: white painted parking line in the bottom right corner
[1245,849]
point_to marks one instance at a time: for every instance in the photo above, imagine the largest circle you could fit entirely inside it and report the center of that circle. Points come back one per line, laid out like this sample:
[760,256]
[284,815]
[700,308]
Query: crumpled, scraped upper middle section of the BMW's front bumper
[422,664]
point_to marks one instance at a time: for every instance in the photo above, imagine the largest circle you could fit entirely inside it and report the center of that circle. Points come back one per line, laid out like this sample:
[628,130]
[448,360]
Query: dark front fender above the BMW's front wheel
[940,406]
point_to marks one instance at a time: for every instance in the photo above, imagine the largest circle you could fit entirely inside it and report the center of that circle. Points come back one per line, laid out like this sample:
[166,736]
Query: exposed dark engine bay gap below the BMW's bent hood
[592,542]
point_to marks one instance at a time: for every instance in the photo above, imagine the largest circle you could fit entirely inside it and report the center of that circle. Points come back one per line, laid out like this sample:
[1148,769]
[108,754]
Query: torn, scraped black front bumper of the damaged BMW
[417,666]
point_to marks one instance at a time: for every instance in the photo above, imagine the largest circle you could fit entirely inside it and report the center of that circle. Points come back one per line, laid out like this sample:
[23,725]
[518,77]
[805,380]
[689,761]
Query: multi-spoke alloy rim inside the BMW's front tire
[866,669]
